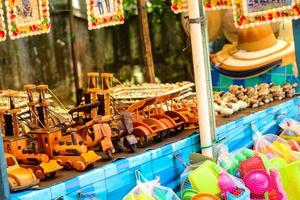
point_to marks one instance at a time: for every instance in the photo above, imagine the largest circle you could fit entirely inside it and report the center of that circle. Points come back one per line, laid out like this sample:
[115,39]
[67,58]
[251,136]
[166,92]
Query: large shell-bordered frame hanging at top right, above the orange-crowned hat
[249,13]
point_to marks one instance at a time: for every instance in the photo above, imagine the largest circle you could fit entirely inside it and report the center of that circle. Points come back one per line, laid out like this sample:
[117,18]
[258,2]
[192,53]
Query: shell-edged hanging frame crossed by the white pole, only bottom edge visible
[179,6]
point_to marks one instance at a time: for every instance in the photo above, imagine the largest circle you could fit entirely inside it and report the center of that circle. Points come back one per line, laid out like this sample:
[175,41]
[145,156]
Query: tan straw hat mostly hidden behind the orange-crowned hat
[230,31]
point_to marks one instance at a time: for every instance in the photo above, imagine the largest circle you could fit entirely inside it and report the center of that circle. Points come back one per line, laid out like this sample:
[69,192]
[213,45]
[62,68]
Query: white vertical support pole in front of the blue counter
[203,92]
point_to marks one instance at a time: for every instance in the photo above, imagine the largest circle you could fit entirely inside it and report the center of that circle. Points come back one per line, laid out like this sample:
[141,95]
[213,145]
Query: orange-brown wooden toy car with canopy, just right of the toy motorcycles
[145,127]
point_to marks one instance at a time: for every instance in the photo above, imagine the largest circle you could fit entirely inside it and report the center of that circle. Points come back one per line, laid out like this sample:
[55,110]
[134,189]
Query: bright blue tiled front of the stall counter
[114,180]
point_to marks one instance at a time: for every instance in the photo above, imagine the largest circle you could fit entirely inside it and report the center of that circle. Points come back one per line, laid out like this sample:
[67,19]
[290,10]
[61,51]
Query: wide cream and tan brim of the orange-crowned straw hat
[247,61]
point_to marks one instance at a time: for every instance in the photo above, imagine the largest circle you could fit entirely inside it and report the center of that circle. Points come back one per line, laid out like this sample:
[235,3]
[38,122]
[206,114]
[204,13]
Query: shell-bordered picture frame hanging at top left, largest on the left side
[27,18]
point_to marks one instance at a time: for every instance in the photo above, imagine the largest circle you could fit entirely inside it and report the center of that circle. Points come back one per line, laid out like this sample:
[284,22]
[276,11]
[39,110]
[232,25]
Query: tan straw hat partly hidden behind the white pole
[214,23]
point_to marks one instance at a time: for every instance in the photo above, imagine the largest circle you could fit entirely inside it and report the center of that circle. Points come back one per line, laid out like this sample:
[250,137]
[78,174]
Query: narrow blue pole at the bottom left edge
[4,188]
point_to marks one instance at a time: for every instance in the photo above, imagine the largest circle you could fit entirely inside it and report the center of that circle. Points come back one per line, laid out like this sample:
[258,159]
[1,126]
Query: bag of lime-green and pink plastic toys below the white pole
[210,180]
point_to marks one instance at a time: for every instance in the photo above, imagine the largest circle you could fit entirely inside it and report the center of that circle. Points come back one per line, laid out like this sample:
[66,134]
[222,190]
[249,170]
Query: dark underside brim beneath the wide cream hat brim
[248,73]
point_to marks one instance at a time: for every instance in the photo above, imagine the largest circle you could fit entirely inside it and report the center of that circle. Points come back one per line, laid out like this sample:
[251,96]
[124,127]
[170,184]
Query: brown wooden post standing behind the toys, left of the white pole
[145,40]
